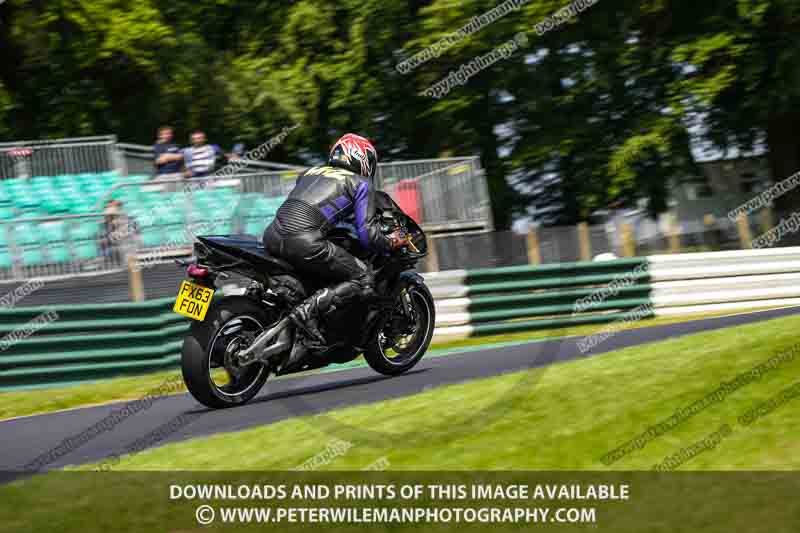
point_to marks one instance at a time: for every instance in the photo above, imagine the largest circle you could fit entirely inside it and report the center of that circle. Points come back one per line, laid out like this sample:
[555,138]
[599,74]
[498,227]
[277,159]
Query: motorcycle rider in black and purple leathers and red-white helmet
[324,196]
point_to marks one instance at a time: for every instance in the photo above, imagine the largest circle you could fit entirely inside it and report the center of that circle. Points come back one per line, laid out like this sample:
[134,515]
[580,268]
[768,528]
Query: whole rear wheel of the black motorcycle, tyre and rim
[209,368]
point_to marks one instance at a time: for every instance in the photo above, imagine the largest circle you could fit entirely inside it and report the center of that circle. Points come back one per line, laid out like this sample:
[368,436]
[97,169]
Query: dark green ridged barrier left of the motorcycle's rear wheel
[85,342]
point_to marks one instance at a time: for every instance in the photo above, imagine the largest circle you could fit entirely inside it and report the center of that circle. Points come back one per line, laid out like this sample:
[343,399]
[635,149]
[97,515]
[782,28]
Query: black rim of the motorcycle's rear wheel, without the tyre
[225,377]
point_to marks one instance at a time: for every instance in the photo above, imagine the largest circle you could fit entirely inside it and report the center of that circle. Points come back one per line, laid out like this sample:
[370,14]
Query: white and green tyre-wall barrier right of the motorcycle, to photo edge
[506,300]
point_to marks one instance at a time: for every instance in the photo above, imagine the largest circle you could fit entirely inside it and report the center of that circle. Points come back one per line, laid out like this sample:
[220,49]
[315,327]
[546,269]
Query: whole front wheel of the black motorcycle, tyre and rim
[401,341]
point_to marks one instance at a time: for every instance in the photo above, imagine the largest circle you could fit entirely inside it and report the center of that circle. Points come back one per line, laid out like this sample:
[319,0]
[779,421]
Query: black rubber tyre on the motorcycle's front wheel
[423,305]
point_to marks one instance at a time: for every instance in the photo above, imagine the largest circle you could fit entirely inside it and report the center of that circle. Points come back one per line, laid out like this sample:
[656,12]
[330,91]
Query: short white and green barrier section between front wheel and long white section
[507,300]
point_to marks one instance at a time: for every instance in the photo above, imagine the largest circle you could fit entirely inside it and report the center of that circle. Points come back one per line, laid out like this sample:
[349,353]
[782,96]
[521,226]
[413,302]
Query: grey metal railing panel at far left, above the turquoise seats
[25,159]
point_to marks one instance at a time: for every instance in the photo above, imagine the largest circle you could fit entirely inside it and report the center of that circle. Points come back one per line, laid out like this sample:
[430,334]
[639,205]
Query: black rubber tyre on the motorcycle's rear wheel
[196,356]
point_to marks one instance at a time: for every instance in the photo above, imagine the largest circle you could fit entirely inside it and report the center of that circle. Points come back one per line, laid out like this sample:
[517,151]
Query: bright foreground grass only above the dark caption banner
[566,416]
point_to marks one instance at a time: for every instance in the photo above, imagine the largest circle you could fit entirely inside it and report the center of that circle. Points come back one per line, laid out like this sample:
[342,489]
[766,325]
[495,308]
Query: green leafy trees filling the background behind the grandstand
[592,114]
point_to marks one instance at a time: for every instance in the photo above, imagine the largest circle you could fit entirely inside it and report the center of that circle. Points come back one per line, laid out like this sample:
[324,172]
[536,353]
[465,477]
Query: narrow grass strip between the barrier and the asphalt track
[38,401]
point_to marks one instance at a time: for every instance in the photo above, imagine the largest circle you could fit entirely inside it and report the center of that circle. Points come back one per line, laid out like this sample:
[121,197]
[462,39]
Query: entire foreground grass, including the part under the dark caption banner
[564,417]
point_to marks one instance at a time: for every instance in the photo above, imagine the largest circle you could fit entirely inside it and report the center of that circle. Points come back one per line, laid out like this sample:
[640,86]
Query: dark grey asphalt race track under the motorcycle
[25,439]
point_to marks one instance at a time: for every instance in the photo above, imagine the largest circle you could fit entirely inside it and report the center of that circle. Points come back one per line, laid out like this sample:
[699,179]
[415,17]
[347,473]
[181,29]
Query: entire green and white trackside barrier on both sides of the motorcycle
[97,341]
